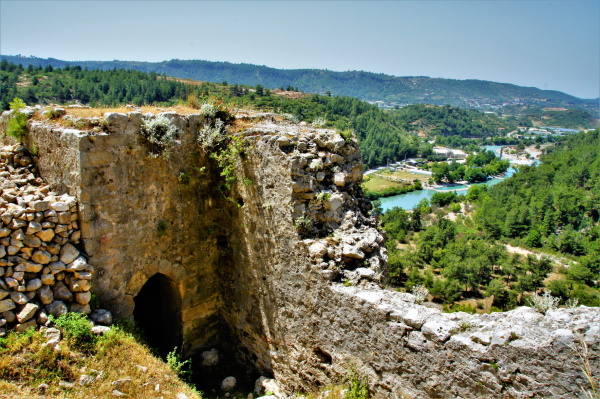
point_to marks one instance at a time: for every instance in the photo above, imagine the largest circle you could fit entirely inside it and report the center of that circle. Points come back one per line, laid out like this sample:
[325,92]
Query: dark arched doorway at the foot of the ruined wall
[157,312]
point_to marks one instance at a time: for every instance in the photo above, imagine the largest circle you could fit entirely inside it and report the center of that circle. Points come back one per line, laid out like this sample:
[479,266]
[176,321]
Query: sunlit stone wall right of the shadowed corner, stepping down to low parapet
[309,304]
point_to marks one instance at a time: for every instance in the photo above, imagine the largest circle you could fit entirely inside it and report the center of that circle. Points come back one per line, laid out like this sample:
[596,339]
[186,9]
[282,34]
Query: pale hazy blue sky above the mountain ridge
[547,44]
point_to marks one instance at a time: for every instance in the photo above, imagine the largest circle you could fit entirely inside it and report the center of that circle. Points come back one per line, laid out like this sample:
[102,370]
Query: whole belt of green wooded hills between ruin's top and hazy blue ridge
[384,136]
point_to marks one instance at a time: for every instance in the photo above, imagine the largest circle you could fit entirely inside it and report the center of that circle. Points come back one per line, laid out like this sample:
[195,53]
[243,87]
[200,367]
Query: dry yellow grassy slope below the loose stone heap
[24,365]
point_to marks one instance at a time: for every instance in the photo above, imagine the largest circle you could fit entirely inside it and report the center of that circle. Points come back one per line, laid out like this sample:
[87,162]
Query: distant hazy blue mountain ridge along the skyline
[364,85]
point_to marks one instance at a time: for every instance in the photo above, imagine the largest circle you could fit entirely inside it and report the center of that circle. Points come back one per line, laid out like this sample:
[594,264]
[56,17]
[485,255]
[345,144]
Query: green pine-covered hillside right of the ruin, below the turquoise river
[462,247]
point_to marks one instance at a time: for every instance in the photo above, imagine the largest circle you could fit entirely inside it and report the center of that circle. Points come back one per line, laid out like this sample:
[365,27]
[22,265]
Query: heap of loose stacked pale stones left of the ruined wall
[41,271]
